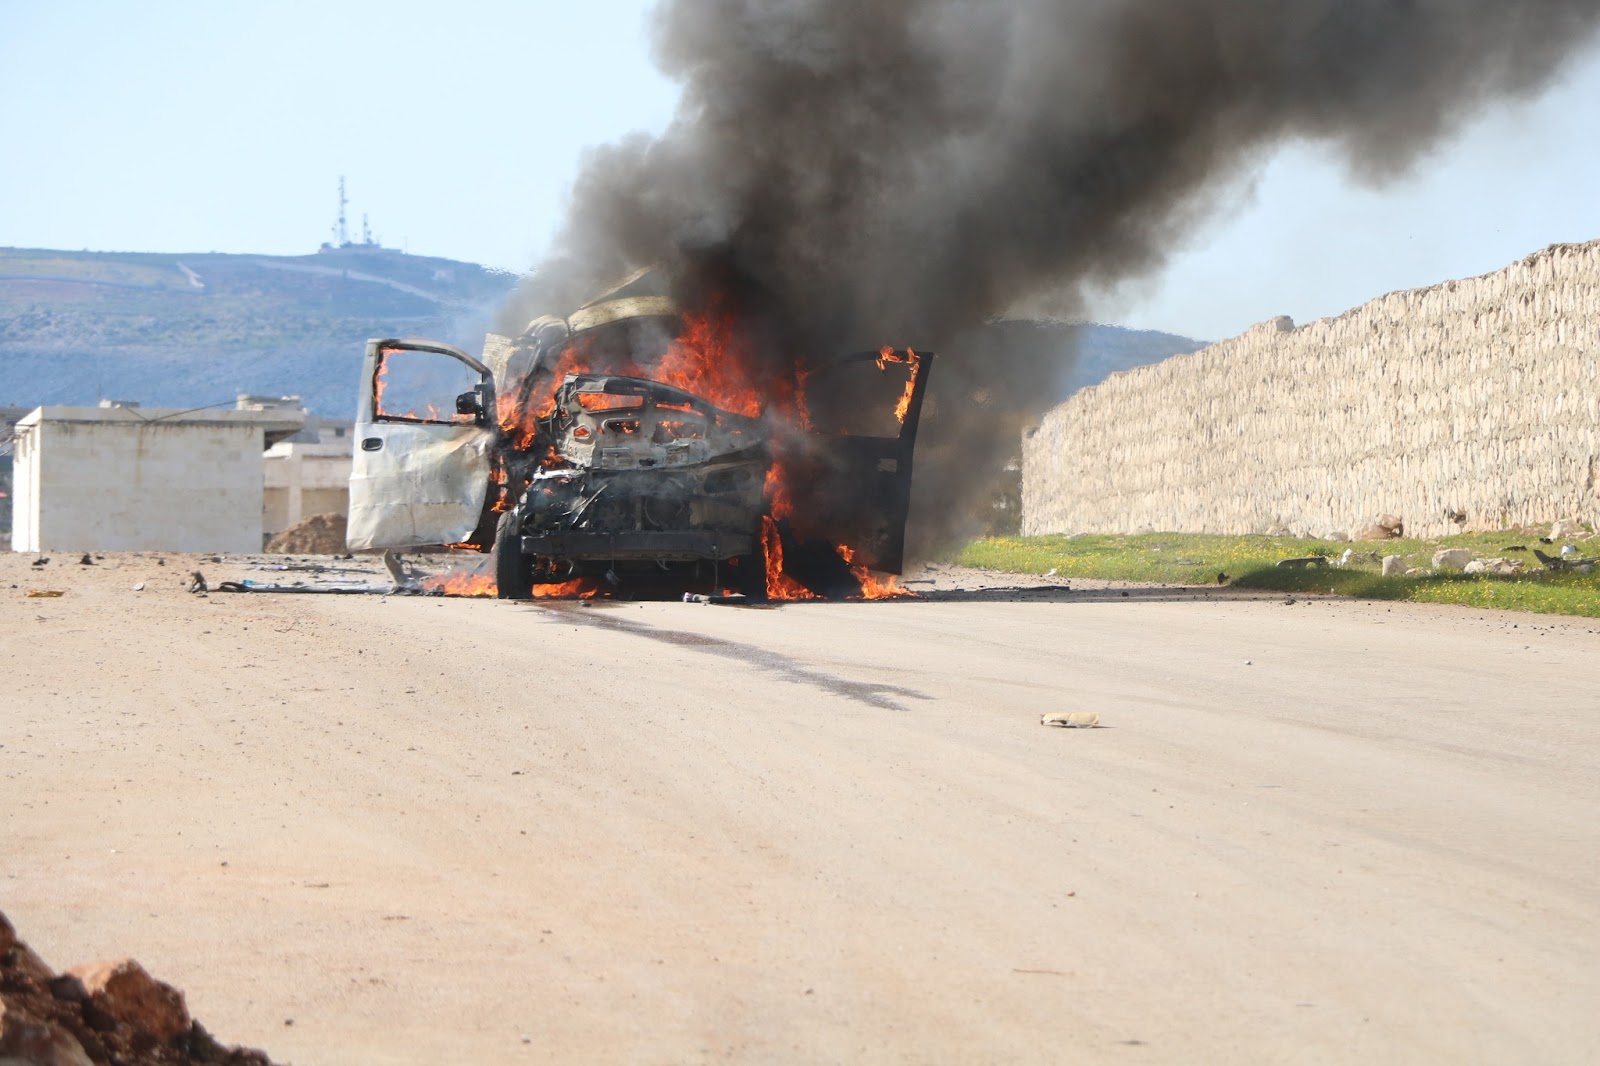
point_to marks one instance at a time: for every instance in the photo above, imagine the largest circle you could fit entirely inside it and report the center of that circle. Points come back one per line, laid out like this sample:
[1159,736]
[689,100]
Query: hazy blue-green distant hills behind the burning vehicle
[193,331]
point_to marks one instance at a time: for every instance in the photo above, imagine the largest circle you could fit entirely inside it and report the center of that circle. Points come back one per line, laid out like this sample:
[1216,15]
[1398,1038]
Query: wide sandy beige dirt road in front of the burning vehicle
[364,830]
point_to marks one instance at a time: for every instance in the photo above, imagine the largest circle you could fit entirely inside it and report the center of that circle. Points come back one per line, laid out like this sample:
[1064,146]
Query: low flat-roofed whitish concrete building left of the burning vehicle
[143,479]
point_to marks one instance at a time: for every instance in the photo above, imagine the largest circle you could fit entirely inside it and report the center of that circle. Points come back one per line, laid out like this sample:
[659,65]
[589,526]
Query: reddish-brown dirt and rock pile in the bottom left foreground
[105,1014]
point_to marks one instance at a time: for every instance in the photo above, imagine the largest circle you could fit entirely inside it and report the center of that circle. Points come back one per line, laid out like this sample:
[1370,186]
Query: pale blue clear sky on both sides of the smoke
[182,126]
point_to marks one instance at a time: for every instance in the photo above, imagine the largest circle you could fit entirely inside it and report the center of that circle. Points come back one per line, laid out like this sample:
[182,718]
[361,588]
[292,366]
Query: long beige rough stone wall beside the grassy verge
[1476,398]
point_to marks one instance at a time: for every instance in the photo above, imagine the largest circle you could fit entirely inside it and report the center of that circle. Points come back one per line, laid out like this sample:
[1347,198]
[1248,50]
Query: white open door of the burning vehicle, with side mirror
[423,439]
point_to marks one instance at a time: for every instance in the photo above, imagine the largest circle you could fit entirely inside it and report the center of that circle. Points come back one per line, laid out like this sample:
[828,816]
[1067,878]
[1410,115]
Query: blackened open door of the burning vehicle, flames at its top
[865,409]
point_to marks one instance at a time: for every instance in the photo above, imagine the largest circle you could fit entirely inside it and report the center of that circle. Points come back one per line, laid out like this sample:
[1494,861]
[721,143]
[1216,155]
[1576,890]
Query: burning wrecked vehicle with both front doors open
[630,446]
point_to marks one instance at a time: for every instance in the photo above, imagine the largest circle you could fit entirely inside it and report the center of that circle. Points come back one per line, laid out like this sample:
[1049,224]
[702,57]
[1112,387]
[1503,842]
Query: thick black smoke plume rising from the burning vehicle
[854,174]
